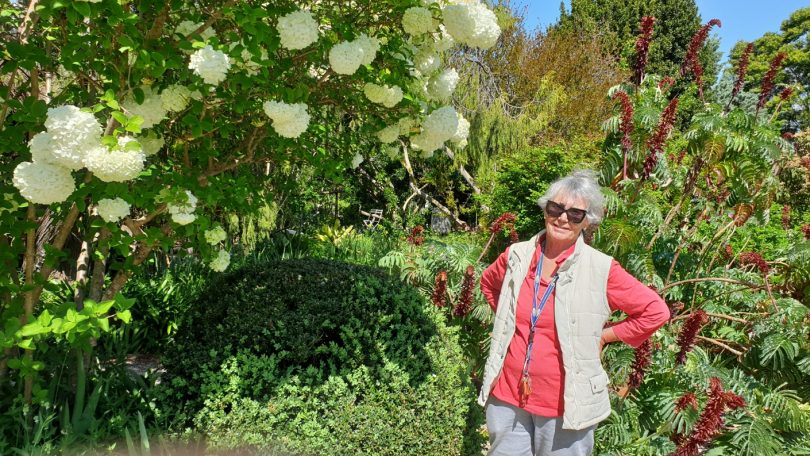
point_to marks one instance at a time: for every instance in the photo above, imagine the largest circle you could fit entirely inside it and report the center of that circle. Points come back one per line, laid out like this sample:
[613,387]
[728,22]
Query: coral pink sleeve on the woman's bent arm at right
[646,311]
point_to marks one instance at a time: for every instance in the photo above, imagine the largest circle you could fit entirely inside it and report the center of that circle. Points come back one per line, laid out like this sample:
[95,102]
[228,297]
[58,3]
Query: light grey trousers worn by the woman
[516,432]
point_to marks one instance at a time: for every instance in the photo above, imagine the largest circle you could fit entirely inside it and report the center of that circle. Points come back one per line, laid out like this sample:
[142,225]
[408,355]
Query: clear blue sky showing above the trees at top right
[742,19]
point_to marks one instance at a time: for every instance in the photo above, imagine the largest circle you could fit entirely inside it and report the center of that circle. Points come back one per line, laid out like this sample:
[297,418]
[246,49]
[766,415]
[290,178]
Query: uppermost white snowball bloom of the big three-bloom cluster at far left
[72,132]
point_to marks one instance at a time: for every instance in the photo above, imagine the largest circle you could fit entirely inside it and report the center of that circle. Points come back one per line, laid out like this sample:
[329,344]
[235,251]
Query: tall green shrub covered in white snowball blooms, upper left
[145,125]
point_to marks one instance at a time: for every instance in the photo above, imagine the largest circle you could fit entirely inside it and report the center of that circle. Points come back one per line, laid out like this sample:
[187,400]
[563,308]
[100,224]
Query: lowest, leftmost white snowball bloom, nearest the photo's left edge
[43,183]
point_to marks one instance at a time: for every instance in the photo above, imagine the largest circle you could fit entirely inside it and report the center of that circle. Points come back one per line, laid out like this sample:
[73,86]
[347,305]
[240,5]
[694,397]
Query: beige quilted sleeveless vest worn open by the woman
[580,313]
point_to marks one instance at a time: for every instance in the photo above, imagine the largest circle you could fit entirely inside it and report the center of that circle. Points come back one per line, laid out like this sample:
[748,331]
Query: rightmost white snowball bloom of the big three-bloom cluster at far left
[120,165]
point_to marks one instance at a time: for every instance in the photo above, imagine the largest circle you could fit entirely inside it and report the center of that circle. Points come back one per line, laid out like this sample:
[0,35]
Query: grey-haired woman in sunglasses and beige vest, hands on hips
[544,386]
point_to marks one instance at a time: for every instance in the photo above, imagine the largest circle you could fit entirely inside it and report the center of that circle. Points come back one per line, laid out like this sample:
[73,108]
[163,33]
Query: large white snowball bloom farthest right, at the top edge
[472,24]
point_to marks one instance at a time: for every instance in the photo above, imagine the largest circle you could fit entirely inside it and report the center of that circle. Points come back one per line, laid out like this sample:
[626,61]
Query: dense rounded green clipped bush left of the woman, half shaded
[321,357]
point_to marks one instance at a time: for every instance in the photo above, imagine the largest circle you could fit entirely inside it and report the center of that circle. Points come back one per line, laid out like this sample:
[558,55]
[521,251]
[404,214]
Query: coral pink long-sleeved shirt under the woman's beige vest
[645,309]
